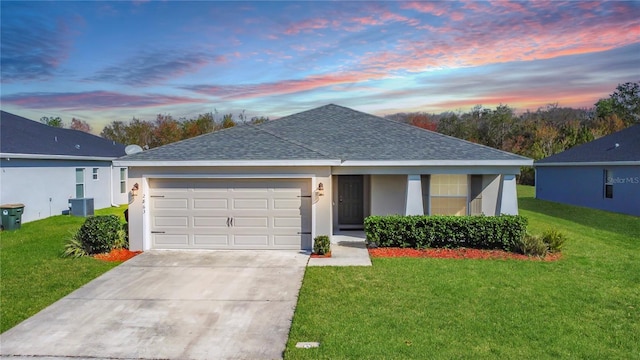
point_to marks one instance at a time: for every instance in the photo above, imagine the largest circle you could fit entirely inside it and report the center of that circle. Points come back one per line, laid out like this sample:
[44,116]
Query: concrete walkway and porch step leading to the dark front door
[347,249]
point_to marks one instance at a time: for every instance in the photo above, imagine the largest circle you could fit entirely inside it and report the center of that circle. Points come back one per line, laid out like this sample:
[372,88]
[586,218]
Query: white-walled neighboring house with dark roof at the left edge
[43,167]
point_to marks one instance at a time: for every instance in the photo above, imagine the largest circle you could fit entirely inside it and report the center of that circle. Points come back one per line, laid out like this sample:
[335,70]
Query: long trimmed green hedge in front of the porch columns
[422,231]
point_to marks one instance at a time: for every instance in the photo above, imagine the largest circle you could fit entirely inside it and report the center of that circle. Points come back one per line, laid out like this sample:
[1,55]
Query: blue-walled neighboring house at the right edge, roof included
[602,174]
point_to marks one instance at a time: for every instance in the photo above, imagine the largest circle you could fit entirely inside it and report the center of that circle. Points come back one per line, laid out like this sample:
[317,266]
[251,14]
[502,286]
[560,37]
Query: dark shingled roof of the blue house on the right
[622,146]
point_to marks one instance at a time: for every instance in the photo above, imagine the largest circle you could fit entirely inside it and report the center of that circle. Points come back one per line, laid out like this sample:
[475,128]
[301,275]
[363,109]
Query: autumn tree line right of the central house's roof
[535,134]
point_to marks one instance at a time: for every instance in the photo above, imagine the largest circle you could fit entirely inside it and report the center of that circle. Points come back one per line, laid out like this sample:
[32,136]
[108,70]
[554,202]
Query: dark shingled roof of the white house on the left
[24,137]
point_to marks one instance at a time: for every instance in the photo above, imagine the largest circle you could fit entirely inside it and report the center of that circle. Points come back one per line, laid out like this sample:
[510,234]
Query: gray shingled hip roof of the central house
[332,133]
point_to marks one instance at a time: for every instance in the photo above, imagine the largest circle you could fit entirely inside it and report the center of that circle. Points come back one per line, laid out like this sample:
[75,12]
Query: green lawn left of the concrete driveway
[32,273]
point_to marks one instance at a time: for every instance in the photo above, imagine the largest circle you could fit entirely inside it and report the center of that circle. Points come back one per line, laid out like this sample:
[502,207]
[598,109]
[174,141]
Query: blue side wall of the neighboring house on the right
[585,186]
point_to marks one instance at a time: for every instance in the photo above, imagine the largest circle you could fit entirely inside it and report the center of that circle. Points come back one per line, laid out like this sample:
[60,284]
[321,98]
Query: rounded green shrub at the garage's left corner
[100,234]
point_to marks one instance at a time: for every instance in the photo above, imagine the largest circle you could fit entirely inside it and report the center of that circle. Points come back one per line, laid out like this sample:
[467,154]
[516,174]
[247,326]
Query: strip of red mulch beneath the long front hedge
[460,253]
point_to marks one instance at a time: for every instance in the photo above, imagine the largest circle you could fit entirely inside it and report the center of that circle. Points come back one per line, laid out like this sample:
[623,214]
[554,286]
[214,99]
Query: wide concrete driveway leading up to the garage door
[171,305]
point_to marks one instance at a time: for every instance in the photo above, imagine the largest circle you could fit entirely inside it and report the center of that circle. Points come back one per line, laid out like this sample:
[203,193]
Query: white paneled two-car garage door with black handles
[230,214]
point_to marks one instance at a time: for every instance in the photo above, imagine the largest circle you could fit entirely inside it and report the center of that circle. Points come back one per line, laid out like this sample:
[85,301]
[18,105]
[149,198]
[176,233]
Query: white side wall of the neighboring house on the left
[45,186]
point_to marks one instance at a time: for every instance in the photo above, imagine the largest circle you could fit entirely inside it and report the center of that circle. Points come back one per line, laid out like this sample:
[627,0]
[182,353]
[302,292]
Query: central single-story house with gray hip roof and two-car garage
[279,184]
